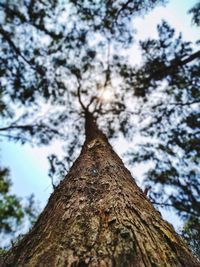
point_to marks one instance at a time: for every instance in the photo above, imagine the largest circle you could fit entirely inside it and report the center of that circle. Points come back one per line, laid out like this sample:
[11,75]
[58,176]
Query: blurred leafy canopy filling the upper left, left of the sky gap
[62,46]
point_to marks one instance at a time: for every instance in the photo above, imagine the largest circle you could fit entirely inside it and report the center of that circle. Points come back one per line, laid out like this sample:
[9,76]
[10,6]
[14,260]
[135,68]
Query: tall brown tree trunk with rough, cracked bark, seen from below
[98,216]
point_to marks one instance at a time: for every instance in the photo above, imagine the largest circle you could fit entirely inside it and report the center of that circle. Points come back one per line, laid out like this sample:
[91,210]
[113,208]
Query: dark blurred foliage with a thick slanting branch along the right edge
[172,131]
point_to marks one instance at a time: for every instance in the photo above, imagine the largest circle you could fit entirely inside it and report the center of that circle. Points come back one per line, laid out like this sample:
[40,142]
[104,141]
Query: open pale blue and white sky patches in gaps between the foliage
[29,166]
